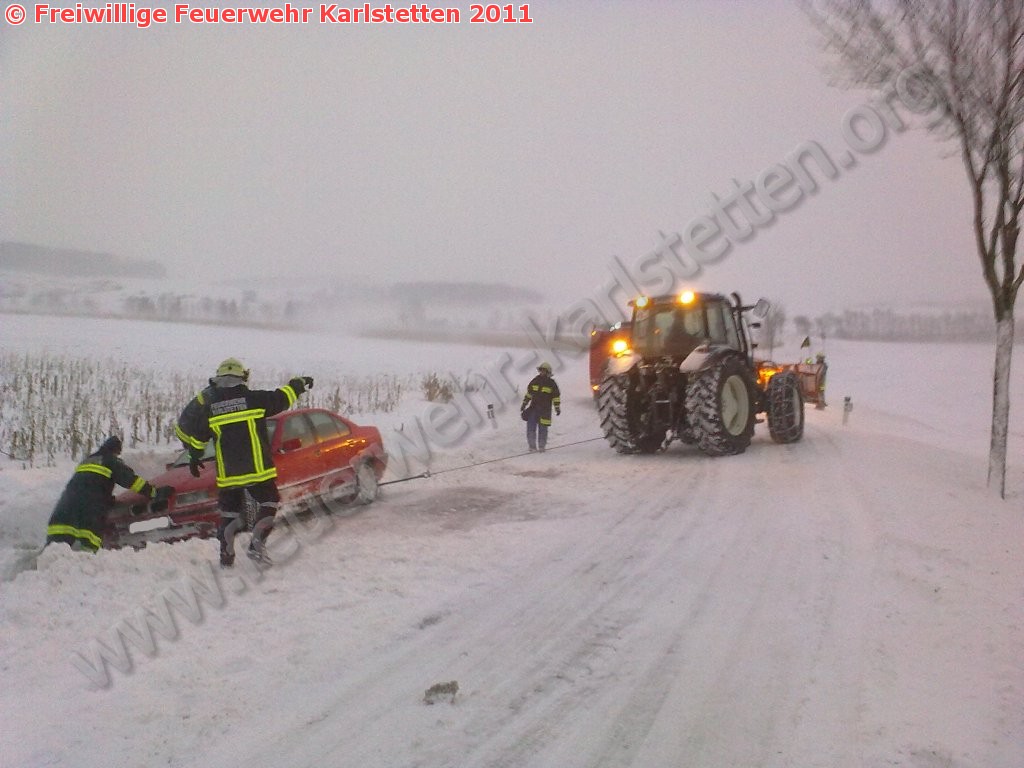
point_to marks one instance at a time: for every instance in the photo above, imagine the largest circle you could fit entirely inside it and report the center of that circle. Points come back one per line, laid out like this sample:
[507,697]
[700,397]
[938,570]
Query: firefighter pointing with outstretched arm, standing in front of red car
[235,417]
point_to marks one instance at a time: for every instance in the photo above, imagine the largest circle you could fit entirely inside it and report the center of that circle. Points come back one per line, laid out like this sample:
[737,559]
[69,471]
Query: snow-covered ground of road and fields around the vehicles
[850,602]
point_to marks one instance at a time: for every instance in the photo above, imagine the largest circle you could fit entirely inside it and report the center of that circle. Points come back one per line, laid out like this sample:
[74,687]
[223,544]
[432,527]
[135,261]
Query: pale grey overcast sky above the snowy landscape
[528,154]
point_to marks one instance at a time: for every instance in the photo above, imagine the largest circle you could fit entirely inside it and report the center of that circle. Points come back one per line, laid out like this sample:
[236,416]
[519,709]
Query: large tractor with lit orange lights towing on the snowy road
[690,374]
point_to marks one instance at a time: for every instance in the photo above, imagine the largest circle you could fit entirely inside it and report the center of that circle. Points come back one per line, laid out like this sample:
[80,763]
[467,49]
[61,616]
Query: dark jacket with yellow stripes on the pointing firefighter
[236,418]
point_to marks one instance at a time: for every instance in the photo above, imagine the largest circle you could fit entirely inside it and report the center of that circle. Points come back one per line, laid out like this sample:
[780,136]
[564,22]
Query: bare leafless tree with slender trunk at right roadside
[967,57]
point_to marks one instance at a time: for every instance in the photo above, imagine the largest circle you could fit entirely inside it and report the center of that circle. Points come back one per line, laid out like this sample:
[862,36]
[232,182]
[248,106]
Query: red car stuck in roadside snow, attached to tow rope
[320,456]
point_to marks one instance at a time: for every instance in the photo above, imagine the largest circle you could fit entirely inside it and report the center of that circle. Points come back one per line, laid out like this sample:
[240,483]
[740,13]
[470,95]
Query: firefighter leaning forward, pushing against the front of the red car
[80,514]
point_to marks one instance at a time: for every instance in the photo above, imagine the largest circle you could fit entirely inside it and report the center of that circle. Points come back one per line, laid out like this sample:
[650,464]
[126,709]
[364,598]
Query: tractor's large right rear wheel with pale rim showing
[720,404]
